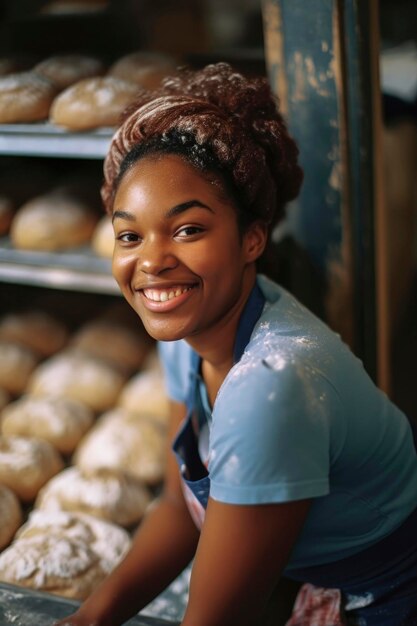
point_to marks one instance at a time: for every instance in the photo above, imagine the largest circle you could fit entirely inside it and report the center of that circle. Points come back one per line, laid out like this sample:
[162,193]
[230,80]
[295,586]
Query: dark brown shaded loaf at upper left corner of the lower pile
[36,330]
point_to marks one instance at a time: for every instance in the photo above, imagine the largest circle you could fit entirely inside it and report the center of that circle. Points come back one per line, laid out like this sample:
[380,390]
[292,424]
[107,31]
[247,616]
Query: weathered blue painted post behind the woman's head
[318,60]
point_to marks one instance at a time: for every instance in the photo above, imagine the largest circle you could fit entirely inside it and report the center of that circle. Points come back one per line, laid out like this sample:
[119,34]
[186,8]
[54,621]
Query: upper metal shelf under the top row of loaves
[45,139]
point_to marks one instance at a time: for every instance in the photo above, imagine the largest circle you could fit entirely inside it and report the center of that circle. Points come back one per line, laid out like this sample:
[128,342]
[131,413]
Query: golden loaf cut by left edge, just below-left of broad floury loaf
[61,421]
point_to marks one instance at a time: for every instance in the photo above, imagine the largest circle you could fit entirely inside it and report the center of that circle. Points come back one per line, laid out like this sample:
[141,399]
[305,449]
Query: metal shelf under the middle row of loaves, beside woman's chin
[74,270]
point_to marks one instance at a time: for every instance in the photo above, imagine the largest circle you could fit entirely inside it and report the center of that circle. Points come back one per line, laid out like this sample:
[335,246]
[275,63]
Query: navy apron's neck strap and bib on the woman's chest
[195,478]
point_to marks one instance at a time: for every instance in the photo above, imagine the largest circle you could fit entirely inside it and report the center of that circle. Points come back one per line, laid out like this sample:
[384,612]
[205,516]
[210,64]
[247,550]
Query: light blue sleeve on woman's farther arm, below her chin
[176,359]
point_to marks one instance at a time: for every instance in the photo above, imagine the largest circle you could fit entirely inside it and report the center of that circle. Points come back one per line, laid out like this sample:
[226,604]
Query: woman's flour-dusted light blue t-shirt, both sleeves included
[298,417]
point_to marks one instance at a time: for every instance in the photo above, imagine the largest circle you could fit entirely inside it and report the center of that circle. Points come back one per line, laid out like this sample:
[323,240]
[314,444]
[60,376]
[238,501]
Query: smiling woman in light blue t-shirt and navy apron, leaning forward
[286,459]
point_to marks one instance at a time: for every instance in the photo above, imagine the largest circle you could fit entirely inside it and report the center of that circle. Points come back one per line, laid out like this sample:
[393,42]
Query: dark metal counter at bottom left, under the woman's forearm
[25,607]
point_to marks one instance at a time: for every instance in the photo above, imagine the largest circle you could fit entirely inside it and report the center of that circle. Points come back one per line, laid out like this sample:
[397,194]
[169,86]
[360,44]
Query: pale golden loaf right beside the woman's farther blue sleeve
[145,394]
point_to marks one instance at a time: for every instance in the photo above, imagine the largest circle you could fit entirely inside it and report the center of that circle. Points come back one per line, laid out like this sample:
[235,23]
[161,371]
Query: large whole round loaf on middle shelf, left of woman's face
[53,221]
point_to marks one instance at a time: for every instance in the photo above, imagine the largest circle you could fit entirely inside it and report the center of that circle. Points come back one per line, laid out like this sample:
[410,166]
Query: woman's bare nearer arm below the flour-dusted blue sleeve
[240,556]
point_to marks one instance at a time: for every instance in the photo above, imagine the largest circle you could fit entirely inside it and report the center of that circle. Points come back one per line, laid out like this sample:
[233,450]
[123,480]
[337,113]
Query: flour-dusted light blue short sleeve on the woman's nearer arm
[270,437]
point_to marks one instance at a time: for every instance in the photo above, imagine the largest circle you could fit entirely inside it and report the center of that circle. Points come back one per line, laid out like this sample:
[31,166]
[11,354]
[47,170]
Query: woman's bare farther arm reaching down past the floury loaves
[164,544]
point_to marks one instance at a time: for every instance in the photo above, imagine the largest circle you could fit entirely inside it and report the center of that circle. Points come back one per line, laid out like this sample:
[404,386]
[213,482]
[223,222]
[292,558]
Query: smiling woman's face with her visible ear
[179,258]
